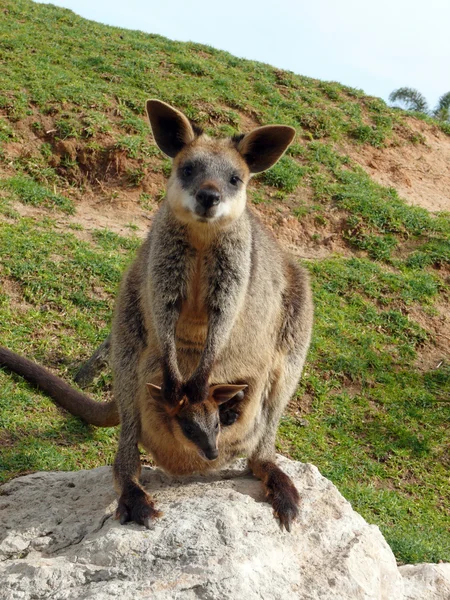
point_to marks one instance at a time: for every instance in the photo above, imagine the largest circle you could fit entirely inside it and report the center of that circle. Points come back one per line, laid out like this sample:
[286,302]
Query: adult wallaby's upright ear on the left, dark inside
[171,129]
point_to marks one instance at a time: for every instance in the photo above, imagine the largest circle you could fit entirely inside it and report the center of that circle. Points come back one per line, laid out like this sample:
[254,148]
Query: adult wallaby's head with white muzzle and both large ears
[210,175]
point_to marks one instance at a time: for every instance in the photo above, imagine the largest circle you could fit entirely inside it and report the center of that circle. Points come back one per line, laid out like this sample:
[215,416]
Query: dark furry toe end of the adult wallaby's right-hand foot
[284,497]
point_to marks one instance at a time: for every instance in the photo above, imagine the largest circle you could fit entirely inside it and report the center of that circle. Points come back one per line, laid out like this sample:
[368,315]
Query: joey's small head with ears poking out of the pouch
[198,424]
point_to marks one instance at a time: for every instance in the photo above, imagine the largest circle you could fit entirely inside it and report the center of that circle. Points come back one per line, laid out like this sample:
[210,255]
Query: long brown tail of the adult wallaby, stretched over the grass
[102,414]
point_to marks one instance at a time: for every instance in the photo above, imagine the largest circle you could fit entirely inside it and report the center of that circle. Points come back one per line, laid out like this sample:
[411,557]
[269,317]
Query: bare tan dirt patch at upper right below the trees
[420,173]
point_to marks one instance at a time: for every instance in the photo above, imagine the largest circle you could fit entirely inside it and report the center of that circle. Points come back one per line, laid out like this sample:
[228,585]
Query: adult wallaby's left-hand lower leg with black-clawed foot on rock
[134,502]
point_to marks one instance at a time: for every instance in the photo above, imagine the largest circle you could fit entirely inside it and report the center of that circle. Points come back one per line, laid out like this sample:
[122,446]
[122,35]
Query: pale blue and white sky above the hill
[375,46]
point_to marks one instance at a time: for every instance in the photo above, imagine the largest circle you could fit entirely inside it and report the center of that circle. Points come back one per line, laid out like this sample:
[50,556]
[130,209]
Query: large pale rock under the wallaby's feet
[216,540]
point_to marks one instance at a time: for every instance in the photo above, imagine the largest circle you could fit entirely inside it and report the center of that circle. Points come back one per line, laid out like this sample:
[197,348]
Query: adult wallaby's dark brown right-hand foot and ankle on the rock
[280,490]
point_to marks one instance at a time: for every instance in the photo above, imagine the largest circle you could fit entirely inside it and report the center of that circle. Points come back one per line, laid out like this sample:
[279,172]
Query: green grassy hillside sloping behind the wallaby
[372,409]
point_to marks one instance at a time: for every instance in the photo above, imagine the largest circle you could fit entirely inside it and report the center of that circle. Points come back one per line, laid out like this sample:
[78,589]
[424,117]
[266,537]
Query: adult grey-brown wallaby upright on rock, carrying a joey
[210,297]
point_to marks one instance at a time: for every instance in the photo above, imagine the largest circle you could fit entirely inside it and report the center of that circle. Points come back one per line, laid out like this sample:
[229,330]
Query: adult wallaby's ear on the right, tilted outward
[262,147]
